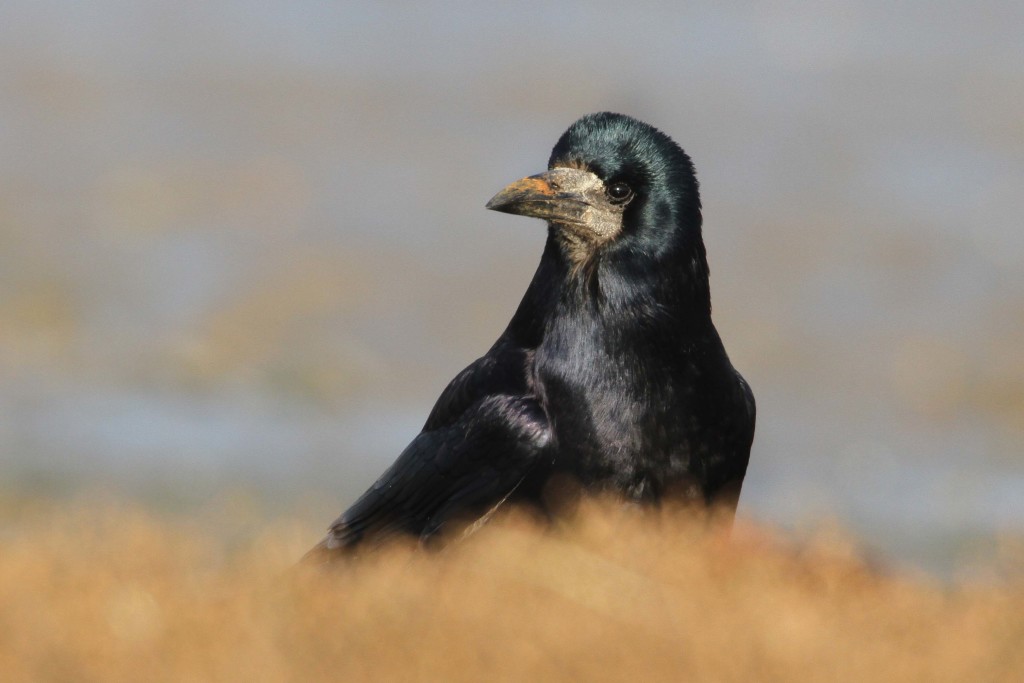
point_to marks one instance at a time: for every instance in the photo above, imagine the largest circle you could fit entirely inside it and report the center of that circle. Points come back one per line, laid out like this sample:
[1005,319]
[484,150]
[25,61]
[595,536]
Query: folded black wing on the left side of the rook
[481,441]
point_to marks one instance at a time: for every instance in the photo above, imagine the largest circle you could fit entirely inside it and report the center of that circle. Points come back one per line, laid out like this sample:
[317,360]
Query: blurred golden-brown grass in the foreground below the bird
[109,592]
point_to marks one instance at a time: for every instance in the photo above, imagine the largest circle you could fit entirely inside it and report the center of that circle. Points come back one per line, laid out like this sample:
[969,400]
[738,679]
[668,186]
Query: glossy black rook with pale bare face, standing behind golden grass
[611,373]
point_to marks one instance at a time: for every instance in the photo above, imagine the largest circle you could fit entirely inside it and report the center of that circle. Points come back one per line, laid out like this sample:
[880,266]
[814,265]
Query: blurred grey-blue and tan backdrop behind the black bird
[243,247]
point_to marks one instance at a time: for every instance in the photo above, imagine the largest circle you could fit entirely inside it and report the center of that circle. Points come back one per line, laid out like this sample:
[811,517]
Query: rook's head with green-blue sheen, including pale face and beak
[614,186]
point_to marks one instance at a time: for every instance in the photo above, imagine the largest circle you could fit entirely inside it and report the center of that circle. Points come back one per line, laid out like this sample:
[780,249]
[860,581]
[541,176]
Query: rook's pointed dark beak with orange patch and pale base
[557,196]
